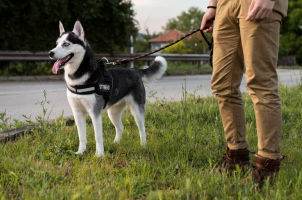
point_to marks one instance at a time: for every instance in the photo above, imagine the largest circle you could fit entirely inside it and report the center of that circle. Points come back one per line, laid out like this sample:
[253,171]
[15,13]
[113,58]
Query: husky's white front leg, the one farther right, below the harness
[98,131]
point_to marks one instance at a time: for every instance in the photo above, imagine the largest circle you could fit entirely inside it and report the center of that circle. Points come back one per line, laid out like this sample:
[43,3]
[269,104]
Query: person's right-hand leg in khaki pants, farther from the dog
[260,46]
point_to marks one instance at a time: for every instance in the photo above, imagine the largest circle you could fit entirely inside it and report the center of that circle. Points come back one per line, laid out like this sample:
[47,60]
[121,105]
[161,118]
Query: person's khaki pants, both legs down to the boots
[256,44]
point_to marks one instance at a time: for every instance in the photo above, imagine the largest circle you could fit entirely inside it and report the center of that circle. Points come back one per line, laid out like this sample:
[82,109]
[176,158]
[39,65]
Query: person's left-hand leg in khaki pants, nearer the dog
[227,73]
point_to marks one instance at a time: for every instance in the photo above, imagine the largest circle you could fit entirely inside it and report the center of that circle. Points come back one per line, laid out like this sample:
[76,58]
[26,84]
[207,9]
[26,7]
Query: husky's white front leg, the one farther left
[80,120]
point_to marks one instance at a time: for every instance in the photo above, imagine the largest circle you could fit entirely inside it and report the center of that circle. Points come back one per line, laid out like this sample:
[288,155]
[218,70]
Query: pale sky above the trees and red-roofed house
[154,14]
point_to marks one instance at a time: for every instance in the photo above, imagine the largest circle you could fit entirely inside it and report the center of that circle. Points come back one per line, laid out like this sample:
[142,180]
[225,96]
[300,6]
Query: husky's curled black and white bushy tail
[155,71]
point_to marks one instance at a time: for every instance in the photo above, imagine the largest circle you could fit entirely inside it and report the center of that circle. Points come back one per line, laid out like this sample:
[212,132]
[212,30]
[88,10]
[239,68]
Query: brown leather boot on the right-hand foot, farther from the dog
[265,168]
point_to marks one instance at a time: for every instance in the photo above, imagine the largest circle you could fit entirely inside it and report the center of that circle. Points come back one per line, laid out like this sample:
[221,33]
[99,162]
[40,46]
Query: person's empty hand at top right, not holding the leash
[259,9]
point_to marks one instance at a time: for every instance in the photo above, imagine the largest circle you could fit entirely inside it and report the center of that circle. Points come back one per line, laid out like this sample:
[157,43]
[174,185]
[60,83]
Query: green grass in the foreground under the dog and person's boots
[185,143]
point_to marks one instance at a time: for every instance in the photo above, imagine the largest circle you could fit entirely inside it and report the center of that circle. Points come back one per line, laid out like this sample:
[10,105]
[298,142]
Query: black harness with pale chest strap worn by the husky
[102,87]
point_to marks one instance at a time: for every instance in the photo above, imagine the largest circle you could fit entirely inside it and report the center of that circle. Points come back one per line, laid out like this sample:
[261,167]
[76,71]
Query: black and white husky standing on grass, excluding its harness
[74,54]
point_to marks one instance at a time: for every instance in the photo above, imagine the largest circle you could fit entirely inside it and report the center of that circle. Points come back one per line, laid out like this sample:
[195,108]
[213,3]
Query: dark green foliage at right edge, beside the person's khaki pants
[291,31]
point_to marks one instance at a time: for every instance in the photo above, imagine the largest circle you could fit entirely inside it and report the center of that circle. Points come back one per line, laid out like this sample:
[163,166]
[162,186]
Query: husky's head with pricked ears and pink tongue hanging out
[69,45]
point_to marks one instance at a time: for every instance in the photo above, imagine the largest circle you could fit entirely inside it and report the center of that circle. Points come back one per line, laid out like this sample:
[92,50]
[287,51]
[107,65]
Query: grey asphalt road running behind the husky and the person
[21,98]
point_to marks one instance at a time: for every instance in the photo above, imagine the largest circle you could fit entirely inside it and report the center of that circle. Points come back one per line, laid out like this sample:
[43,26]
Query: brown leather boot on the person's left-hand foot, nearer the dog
[232,158]
